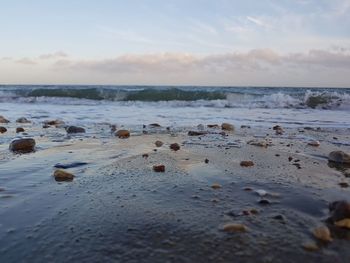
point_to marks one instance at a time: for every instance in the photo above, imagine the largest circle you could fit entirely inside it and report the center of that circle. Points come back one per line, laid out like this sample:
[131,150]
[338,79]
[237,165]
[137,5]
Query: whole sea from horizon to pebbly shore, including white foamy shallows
[178,106]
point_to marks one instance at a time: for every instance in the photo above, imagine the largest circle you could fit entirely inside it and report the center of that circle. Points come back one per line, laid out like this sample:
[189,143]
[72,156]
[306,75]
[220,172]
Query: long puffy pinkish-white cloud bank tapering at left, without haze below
[257,59]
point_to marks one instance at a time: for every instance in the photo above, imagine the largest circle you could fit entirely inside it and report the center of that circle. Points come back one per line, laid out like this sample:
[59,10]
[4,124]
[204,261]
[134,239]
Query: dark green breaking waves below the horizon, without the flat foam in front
[182,97]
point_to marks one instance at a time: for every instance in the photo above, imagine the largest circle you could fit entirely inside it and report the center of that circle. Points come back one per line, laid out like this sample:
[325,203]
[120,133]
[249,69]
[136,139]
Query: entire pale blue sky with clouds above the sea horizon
[176,42]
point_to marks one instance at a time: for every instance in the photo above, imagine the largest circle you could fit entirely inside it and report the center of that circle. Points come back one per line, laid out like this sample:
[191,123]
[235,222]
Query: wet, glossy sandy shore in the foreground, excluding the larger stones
[118,209]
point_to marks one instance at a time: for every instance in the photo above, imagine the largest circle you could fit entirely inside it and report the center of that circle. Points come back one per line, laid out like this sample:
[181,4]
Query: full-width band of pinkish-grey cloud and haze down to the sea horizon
[317,67]
